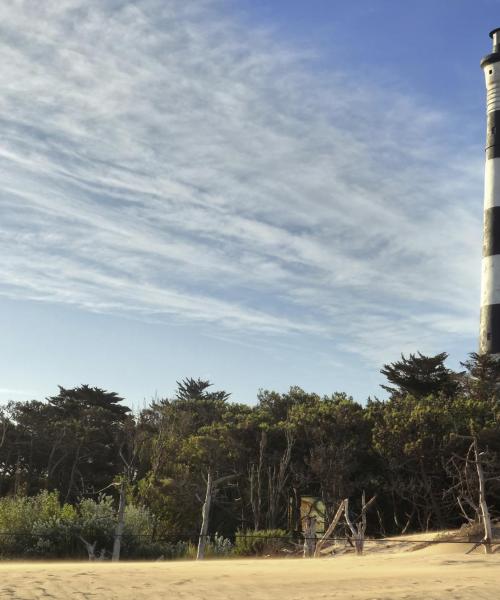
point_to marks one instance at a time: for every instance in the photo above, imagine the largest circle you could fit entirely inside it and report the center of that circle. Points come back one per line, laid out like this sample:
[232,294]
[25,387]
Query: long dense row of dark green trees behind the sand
[85,445]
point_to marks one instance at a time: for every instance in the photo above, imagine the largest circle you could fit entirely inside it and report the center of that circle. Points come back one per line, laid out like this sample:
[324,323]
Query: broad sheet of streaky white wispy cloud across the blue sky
[162,159]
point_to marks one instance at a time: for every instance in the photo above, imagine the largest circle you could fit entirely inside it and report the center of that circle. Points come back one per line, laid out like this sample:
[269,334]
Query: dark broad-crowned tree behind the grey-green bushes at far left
[69,443]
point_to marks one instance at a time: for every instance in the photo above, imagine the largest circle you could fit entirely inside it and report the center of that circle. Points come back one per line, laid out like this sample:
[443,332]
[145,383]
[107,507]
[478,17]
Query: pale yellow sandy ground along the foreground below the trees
[428,574]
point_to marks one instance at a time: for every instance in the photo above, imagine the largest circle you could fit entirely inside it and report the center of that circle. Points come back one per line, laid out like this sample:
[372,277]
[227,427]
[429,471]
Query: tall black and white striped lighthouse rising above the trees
[489,334]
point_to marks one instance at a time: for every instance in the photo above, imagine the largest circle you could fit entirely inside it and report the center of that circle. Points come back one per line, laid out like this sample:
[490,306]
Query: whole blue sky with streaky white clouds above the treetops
[259,193]
